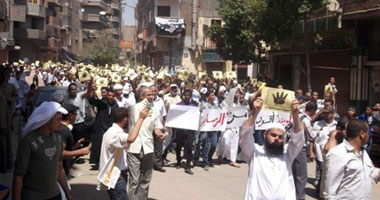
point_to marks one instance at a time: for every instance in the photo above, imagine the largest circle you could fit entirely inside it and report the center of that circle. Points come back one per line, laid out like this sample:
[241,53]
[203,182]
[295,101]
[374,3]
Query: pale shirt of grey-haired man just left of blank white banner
[144,139]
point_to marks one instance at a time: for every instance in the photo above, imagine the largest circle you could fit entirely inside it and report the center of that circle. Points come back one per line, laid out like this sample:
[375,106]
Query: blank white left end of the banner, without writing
[183,117]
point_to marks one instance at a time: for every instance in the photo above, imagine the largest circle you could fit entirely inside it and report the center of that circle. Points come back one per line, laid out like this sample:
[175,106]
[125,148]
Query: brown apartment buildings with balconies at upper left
[55,30]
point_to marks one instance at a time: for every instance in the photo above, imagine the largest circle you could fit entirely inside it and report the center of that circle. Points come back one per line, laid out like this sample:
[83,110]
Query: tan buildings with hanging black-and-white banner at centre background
[173,33]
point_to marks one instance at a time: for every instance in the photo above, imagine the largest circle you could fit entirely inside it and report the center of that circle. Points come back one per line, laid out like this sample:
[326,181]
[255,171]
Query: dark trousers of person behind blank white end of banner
[185,139]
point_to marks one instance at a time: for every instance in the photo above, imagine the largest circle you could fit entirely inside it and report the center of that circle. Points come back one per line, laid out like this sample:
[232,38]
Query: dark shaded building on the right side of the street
[348,50]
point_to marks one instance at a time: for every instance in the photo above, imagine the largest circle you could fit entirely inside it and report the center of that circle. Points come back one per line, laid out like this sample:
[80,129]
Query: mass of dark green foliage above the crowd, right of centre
[249,22]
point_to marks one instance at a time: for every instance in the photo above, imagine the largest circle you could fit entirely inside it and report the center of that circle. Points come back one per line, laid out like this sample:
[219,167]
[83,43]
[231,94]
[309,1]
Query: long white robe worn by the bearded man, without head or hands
[270,177]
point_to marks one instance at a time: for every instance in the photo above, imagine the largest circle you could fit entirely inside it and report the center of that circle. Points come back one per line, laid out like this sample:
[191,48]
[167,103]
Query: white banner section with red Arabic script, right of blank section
[213,120]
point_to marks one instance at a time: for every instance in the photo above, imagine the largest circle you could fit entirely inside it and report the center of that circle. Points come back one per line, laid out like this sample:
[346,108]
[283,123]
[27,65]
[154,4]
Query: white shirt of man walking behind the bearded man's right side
[320,132]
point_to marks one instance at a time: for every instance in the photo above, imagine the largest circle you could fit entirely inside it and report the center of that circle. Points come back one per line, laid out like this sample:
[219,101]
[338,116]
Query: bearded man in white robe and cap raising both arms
[270,166]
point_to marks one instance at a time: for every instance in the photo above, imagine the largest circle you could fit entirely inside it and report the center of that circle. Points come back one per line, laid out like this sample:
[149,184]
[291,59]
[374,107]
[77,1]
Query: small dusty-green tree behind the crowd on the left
[101,50]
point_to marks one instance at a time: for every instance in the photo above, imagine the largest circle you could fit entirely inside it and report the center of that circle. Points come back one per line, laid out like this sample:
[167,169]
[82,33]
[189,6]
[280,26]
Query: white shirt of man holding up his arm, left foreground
[113,157]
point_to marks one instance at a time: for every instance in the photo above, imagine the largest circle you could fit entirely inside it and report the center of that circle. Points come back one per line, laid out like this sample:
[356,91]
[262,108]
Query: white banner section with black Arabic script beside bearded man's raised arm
[236,116]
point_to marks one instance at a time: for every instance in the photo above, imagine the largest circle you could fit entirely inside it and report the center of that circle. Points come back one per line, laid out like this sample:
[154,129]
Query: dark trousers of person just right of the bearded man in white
[299,168]
